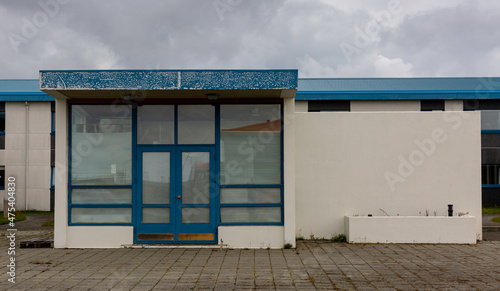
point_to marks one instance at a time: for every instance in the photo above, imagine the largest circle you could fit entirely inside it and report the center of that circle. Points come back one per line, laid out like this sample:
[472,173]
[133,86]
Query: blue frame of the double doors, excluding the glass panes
[175,226]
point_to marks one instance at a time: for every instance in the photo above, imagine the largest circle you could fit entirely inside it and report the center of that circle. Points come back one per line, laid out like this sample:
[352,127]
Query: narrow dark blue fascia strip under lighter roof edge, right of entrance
[396,95]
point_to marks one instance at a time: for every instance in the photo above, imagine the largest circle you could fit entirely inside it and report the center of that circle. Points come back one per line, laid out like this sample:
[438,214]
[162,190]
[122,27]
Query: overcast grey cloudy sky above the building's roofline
[320,38]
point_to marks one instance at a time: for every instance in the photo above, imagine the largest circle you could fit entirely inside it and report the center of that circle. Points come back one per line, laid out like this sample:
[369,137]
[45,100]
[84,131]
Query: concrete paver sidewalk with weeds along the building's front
[313,265]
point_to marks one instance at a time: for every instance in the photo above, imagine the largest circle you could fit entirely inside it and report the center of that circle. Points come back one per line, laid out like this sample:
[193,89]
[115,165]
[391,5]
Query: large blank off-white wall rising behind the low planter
[405,163]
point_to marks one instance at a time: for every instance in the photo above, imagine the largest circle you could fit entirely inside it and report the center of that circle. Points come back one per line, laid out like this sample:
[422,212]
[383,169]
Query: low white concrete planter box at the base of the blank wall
[411,229]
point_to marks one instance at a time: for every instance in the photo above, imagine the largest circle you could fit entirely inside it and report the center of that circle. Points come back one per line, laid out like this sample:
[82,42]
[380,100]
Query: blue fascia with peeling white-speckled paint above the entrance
[169,80]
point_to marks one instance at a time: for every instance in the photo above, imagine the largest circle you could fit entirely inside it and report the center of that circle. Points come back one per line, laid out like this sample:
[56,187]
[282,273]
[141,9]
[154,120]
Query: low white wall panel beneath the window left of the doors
[99,236]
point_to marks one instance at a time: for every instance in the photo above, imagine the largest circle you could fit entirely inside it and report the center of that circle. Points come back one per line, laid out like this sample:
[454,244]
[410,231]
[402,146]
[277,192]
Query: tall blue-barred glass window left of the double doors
[101,157]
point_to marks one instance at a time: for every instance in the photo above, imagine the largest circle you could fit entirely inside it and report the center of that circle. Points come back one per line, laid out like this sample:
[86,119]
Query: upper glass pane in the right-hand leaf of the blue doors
[195,177]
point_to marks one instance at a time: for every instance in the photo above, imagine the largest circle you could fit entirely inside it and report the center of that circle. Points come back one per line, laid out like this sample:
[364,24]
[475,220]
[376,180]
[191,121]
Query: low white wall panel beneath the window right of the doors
[252,236]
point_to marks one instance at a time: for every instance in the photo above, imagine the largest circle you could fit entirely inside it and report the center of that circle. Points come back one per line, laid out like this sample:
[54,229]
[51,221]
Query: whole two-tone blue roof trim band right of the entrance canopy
[398,88]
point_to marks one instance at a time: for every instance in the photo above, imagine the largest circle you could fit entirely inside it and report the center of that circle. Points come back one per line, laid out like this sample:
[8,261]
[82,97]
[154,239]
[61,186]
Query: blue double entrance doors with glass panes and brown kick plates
[175,195]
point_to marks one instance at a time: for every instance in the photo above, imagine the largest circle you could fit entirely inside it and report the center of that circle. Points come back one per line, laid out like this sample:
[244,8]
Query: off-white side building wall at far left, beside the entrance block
[14,156]
